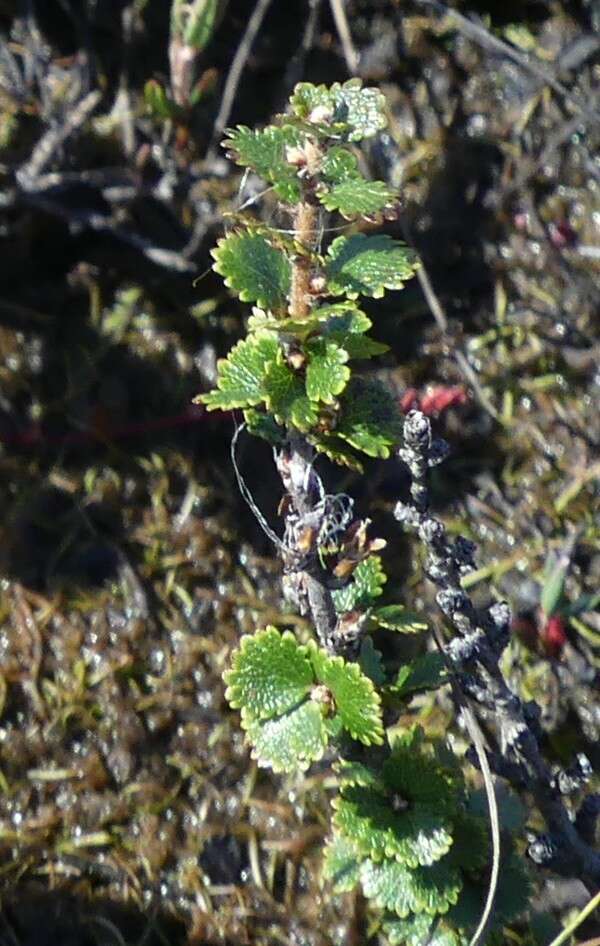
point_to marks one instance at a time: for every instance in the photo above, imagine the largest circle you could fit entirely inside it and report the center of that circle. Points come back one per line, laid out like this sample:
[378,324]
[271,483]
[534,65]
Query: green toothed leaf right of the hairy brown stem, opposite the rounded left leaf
[368,265]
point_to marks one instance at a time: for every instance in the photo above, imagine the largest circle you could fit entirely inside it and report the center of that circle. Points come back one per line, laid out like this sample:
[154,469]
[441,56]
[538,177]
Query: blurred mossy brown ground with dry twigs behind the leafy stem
[129,809]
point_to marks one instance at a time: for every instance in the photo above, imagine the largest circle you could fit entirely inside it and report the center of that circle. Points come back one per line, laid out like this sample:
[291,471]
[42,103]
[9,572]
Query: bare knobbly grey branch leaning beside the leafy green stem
[474,654]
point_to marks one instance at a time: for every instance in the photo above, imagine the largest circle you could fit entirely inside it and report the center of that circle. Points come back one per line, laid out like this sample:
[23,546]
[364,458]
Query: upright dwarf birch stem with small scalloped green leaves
[404,826]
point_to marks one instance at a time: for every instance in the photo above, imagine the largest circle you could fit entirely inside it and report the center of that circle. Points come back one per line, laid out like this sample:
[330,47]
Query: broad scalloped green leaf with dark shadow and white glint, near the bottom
[415,835]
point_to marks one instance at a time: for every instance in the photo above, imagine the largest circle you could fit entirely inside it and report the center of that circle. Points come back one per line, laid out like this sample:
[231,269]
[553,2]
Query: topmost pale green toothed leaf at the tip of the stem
[356,112]
